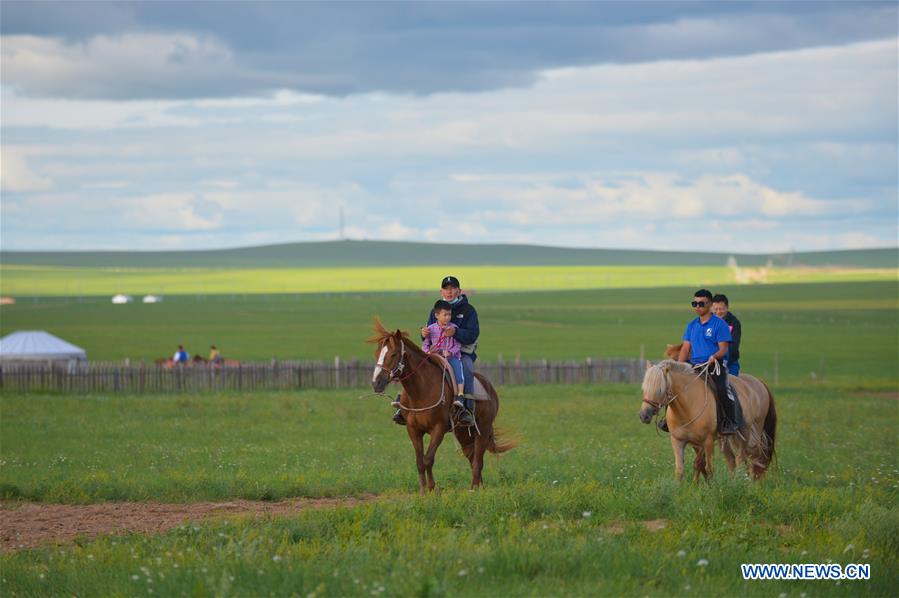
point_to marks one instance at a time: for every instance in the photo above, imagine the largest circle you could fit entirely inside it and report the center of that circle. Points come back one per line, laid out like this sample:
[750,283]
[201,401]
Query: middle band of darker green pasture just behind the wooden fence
[844,332]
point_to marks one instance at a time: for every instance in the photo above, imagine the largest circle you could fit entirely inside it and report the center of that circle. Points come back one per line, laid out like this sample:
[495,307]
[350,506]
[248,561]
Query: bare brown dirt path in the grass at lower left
[27,525]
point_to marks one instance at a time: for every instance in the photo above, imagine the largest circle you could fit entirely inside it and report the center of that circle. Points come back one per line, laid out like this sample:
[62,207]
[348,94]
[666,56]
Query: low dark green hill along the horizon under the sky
[394,253]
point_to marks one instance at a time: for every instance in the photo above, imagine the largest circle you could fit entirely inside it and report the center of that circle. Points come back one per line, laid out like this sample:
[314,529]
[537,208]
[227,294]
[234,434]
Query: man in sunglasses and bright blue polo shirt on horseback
[706,342]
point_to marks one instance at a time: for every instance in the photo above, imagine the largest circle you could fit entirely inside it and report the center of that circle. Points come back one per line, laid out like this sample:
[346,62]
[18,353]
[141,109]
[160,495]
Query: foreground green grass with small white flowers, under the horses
[562,514]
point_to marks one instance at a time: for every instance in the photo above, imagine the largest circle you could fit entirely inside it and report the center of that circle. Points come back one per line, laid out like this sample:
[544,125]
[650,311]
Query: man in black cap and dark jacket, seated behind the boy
[466,331]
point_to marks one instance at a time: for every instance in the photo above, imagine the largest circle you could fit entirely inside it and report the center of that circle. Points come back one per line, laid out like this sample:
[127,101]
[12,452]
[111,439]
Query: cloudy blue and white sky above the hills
[743,127]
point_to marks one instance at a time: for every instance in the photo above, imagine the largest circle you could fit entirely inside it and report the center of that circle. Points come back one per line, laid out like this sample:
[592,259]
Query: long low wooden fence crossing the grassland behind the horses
[105,377]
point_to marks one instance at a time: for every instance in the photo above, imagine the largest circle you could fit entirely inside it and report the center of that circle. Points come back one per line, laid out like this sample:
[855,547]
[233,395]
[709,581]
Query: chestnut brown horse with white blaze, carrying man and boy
[427,402]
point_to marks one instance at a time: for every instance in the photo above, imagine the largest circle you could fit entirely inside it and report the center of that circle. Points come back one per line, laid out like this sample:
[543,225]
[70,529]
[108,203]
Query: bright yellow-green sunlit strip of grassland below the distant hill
[66,281]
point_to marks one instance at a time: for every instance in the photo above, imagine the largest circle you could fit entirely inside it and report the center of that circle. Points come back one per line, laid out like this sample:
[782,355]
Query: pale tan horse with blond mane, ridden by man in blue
[692,418]
